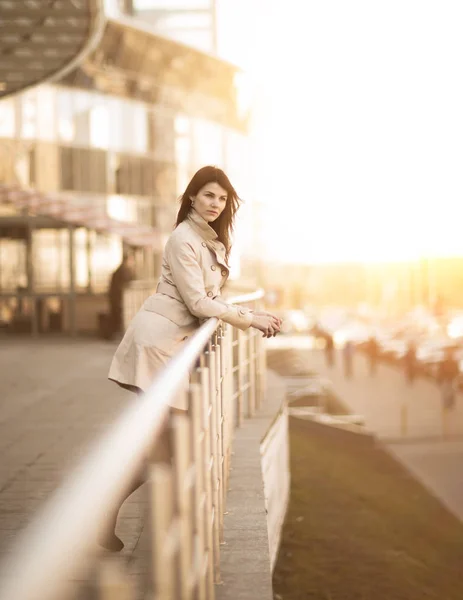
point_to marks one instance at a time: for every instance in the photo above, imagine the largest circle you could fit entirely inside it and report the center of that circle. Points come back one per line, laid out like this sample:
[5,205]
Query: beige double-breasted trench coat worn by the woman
[192,275]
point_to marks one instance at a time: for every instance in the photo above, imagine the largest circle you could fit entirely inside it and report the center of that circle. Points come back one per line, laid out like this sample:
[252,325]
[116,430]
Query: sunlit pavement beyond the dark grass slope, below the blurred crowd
[408,420]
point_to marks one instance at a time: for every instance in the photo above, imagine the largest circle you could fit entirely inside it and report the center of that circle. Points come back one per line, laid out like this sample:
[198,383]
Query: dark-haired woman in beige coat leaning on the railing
[194,270]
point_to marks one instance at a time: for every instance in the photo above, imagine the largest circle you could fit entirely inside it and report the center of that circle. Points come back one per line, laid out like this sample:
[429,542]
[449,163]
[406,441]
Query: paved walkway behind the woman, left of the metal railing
[54,400]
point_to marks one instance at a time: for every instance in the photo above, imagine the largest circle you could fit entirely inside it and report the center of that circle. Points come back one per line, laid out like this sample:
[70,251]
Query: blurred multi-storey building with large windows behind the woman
[94,164]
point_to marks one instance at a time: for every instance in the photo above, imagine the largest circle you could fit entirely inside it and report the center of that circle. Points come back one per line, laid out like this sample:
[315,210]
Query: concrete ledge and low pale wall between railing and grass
[258,467]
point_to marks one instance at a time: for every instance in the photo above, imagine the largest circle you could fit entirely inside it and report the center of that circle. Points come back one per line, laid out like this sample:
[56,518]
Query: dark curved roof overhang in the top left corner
[42,41]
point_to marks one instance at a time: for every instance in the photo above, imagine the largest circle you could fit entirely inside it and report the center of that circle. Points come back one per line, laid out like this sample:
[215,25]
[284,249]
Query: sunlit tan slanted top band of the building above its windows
[133,61]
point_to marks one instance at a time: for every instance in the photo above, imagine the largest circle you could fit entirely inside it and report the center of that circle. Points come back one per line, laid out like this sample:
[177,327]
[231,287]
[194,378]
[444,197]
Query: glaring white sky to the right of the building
[359,124]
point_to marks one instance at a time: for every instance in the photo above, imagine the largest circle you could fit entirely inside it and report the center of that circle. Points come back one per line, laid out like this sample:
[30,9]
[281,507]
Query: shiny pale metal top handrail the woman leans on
[56,546]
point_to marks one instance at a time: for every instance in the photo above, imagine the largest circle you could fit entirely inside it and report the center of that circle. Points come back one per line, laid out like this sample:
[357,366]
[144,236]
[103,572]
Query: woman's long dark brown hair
[223,225]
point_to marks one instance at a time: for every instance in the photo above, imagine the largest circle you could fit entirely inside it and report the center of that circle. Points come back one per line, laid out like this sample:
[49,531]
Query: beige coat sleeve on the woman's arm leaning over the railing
[188,278]
